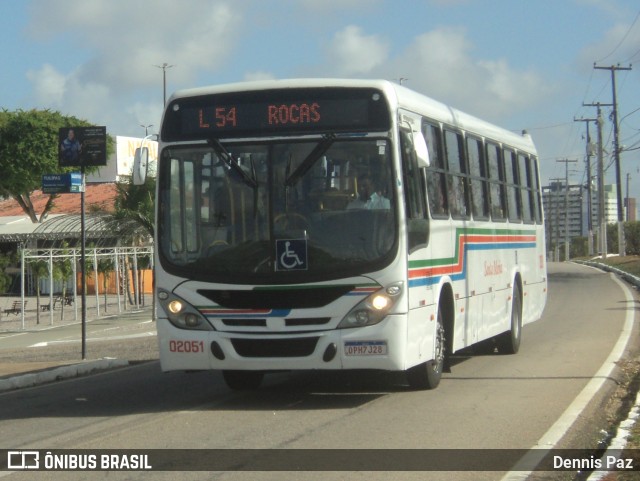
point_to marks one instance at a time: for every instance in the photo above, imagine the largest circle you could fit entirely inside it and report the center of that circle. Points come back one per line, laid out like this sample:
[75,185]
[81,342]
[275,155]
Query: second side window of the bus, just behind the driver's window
[436,174]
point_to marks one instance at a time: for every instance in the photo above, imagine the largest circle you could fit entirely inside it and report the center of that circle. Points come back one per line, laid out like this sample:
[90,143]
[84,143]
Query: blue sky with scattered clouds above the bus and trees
[521,64]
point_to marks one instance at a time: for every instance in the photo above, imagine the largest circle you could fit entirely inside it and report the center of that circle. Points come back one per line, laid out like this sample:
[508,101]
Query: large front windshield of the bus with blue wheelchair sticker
[277,211]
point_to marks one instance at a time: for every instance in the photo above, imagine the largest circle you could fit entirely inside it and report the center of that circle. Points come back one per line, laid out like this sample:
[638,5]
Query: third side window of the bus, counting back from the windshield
[457,181]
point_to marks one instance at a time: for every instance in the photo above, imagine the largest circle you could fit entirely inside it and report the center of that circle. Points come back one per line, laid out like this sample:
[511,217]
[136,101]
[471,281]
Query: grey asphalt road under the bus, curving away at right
[486,401]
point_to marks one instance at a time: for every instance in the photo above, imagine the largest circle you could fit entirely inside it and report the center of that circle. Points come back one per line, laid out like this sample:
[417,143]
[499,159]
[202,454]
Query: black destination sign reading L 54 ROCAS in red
[271,112]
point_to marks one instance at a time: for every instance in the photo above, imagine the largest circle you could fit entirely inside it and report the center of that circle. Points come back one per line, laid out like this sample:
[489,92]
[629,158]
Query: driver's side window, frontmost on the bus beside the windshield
[414,193]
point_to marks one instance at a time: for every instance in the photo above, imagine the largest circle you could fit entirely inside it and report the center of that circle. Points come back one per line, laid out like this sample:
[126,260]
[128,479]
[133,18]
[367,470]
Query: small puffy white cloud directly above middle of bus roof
[351,52]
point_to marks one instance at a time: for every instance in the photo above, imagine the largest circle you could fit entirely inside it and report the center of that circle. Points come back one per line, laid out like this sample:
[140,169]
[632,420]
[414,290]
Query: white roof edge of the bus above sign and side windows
[397,95]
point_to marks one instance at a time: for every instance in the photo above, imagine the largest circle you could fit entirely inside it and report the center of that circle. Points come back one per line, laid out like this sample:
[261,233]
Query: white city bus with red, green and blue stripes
[340,224]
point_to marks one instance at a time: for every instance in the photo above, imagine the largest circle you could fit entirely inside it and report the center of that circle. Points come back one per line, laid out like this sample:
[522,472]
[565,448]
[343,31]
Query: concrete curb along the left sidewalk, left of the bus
[59,373]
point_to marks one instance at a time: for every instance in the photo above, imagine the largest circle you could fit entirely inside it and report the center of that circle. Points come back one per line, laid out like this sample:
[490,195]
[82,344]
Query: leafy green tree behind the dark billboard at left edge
[29,149]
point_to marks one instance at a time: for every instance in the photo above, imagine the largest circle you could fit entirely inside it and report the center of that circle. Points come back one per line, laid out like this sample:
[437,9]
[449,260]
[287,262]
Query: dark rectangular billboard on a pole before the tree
[82,146]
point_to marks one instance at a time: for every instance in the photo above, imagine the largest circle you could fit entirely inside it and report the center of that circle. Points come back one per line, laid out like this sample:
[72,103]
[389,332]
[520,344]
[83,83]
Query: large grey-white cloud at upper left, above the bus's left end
[127,42]
